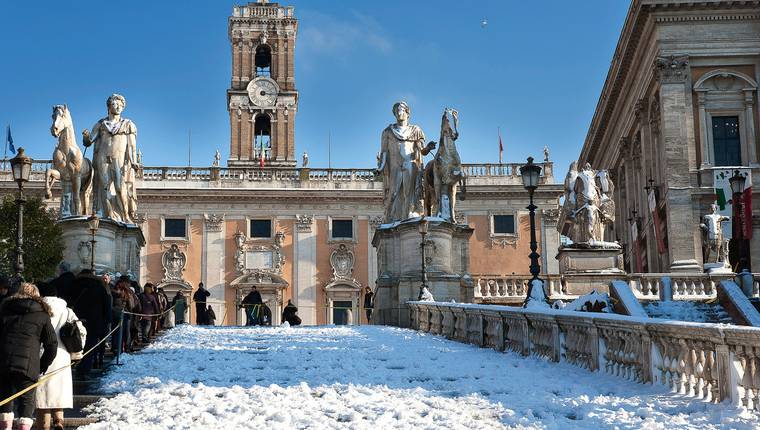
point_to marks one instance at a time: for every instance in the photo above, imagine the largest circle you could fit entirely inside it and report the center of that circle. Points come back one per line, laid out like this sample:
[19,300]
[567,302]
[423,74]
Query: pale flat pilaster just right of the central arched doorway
[305,268]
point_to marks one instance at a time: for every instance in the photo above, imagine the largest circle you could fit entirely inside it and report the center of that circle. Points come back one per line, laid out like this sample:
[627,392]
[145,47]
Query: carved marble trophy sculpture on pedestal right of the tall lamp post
[588,206]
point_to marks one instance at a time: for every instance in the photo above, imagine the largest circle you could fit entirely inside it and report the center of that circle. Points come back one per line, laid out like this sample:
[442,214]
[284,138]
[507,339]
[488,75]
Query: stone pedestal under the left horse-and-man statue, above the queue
[117,246]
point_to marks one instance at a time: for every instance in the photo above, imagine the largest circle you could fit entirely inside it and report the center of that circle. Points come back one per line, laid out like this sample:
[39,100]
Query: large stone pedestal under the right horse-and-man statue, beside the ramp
[399,262]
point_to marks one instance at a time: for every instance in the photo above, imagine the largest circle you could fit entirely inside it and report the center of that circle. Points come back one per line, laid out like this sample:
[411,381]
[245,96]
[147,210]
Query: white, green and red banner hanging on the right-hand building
[724,198]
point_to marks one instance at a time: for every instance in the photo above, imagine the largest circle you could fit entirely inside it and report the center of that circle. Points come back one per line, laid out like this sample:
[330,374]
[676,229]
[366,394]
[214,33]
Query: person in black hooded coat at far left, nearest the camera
[24,326]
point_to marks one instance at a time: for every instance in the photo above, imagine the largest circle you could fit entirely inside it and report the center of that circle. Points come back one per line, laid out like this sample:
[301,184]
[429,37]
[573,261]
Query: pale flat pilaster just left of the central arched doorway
[212,264]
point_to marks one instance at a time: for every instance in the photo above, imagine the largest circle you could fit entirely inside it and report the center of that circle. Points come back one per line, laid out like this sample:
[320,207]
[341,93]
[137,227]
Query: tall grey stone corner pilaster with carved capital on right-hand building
[677,131]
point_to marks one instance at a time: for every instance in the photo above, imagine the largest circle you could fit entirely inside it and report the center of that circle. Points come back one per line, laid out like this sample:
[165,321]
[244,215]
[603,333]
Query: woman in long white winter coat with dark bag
[56,394]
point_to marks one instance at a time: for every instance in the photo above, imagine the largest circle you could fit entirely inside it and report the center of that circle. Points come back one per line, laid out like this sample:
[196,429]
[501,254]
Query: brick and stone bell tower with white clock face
[262,99]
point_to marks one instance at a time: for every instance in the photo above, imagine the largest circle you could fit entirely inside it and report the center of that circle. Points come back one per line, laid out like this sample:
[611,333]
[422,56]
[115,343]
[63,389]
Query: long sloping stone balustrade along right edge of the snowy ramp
[708,361]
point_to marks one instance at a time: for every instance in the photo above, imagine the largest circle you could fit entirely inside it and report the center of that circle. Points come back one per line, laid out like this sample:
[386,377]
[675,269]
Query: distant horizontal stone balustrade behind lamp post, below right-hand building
[508,289]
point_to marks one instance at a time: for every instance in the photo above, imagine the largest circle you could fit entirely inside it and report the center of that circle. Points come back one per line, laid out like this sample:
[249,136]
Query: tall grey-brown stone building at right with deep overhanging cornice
[678,112]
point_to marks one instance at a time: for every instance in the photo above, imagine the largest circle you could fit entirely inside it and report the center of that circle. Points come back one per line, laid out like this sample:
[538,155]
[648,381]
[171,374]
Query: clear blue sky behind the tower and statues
[536,71]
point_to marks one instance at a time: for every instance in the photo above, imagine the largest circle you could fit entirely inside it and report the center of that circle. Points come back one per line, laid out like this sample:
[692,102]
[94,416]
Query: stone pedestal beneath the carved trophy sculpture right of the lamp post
[587,269]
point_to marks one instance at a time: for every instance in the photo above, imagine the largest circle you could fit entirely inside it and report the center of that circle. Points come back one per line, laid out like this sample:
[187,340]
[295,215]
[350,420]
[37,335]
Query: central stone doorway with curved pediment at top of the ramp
[271,287]
